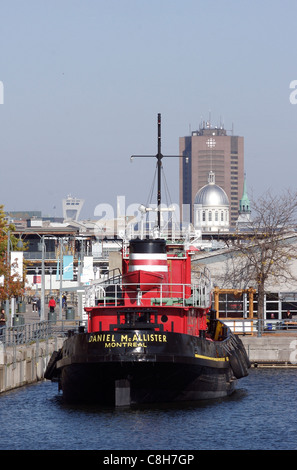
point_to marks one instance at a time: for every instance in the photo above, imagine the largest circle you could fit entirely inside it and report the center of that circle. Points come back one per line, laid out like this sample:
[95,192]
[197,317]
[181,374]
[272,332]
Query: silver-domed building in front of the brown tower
[211,208]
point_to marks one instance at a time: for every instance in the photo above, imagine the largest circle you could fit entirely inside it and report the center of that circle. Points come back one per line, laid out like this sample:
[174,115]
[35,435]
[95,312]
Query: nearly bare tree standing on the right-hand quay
[265,251]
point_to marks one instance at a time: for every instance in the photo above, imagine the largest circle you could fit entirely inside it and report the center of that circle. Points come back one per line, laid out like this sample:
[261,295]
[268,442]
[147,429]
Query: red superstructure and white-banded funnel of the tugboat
[156,289]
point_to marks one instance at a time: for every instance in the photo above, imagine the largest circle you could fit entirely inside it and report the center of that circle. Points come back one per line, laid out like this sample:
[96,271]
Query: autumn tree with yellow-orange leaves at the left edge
[12,285]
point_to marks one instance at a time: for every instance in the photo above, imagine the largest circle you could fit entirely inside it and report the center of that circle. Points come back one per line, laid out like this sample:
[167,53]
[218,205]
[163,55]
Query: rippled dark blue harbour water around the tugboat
[261,414]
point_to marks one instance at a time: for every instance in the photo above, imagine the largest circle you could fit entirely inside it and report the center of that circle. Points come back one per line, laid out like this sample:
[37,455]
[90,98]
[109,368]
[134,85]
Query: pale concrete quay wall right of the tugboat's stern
[274,349]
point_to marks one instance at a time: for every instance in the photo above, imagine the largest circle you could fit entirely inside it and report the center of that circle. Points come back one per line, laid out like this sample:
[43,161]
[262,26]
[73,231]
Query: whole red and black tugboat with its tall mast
[152,336]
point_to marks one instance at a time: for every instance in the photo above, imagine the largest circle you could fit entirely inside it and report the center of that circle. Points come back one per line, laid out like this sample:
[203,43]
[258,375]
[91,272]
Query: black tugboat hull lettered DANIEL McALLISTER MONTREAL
[156,368]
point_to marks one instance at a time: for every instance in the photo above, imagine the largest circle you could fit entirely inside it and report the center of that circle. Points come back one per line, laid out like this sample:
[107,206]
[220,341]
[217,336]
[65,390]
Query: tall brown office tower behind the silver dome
[212,149]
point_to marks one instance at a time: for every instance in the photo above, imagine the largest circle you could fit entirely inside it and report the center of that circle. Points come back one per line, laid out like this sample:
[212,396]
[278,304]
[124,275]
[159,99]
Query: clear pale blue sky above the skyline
[84,80]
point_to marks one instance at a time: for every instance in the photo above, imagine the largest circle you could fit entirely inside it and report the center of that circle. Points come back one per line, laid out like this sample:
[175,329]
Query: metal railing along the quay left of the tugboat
[31,332]
